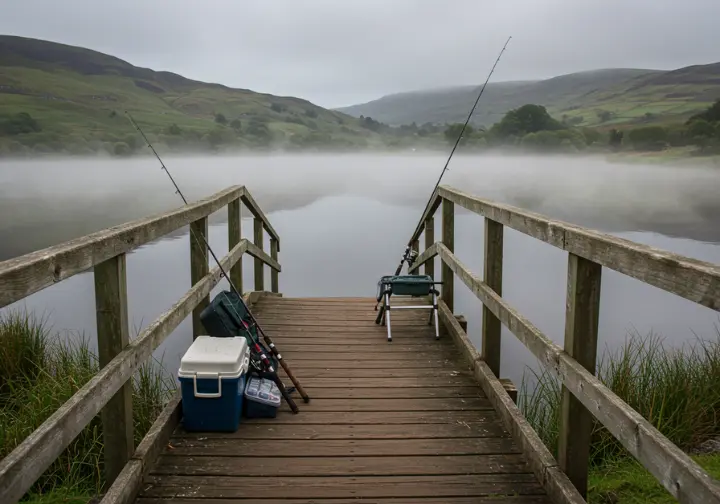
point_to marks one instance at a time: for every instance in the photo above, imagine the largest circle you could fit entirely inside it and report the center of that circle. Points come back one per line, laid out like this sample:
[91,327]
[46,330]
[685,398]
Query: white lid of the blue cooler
[216,356]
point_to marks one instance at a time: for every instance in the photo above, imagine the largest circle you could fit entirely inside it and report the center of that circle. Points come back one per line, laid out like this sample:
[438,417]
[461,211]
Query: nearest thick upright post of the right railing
[581,331]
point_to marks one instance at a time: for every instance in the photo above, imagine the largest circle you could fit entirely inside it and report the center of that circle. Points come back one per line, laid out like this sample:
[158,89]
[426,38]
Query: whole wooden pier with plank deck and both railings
[418,420]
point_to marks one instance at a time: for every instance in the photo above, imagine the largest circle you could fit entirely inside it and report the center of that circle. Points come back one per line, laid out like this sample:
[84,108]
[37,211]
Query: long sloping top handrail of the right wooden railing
[696,280]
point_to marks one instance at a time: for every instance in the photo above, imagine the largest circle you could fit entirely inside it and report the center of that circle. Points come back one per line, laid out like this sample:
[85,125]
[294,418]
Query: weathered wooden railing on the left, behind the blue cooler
[109,391]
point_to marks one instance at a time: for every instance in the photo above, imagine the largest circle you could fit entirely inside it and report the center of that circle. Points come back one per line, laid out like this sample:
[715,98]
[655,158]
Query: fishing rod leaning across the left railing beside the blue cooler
[257,347]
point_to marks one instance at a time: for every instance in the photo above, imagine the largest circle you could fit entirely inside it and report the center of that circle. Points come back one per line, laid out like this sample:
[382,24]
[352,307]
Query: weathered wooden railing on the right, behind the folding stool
[583,395]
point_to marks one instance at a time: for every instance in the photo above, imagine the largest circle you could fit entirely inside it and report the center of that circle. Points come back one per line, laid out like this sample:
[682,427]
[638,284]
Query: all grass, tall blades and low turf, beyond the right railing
[676,390]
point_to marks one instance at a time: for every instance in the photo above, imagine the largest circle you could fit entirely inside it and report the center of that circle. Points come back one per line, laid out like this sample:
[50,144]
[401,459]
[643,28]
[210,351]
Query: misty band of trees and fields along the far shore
[529,129]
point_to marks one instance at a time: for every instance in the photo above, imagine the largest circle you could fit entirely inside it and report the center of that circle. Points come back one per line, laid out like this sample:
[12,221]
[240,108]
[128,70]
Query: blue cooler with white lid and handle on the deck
[212,378]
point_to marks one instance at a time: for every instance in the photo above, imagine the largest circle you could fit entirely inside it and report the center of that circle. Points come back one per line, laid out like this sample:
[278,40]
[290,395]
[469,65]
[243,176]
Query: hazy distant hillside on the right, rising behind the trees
[599,97]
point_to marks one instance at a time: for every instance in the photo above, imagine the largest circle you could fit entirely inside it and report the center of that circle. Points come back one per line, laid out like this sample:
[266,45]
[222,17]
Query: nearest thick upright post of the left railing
[113,337]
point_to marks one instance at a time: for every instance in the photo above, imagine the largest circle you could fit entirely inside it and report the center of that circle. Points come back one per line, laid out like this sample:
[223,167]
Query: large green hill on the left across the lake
[76,97]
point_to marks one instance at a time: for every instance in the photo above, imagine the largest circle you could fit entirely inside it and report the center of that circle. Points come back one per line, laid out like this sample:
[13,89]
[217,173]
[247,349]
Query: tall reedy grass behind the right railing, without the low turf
[676,389]
